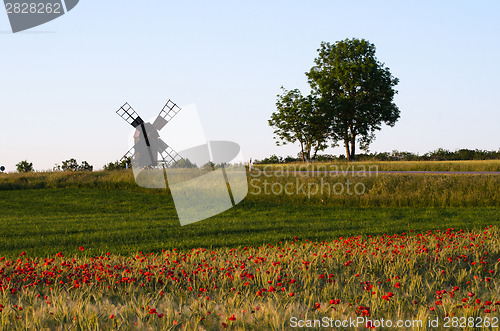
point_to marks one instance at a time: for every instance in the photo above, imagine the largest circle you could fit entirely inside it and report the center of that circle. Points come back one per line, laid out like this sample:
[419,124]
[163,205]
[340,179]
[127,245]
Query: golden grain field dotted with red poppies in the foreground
[448,274]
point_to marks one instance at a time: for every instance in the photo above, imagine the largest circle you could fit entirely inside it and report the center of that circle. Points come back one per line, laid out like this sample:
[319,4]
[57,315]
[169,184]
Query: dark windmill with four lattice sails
[149,149]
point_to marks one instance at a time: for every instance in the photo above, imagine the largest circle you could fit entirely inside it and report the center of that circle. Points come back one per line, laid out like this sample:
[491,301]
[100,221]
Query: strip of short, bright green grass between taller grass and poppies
[45,221]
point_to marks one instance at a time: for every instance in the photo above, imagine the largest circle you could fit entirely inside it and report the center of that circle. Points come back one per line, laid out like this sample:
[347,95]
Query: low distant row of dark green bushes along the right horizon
[439,154]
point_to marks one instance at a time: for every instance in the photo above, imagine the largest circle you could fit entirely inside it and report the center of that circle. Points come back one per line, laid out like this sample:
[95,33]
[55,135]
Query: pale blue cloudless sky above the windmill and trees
[60,83]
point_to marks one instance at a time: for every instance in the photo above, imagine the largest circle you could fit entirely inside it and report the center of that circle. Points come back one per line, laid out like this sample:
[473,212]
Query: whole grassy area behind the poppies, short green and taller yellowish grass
[44,213]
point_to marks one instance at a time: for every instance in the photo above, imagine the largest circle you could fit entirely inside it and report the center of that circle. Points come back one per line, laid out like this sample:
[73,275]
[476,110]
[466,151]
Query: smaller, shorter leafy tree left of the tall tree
[299,119]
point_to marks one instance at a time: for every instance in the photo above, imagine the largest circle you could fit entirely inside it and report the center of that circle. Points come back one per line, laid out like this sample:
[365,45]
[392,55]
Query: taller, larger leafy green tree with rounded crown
[356,92]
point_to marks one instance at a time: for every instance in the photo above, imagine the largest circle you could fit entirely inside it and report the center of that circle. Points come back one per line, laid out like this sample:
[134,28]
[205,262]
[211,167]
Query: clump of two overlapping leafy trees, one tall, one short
[352,96]
